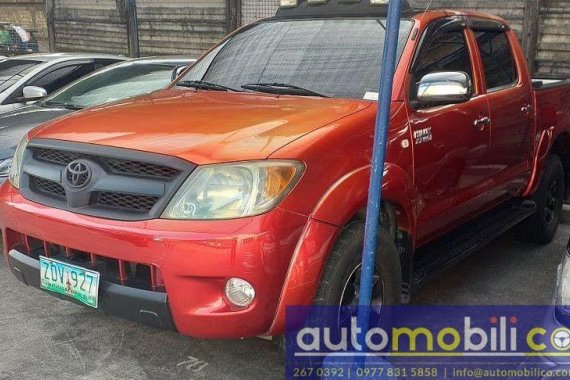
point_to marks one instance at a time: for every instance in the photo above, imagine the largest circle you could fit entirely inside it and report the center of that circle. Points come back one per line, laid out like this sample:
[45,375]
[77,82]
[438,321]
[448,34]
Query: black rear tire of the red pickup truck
[541,227]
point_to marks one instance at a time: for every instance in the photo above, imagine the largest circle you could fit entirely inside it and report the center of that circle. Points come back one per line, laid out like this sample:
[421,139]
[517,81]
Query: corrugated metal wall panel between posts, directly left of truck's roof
[180,26]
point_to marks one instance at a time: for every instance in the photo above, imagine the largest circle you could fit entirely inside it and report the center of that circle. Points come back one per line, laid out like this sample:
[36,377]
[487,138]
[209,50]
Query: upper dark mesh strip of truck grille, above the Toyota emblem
[115,165]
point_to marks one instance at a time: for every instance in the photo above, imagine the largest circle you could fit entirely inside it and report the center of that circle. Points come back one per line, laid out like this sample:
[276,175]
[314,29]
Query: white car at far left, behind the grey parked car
[25,79]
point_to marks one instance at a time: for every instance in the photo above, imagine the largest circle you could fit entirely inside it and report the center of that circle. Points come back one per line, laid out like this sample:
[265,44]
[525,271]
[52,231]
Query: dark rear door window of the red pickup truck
[498,60]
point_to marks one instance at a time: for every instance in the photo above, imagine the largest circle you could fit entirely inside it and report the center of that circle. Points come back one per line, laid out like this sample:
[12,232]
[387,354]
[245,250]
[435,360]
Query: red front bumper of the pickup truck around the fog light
[194,259]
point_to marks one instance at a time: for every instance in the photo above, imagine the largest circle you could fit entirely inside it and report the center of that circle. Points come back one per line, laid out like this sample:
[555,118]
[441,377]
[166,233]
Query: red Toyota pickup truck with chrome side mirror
[211,206]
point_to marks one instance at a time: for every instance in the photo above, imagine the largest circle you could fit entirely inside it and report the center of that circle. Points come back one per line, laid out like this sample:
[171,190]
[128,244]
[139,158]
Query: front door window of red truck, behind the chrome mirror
[446,52]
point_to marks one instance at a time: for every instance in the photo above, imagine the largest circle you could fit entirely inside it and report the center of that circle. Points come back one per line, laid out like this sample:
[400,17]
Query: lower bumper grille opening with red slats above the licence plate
[121,272]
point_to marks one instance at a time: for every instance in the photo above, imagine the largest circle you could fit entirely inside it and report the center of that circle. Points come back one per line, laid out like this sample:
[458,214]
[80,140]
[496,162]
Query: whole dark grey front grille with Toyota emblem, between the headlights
[107,182]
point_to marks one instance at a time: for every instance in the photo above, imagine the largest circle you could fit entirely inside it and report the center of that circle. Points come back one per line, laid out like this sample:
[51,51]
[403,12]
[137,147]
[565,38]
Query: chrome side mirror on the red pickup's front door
[448,87]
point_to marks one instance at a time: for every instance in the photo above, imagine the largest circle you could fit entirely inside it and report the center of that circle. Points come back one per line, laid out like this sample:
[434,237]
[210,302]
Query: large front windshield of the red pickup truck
[334,57]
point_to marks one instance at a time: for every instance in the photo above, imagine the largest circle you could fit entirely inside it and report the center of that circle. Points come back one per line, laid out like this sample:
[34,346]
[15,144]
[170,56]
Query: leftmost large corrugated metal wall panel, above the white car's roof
[95,26]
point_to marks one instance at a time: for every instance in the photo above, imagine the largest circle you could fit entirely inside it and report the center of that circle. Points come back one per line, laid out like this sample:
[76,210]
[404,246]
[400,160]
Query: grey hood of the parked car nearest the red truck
[15,124]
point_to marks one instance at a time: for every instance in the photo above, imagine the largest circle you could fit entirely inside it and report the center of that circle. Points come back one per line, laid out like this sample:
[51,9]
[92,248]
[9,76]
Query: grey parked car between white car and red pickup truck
[116,82]
